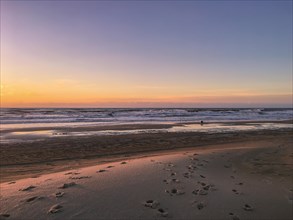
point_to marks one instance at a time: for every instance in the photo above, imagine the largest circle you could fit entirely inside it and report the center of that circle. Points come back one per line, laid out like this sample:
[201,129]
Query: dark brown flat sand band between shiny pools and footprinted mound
[31,159]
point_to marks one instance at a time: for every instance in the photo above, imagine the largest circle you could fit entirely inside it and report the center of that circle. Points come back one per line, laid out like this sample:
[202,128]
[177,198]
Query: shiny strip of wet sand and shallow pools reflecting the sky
[32,134]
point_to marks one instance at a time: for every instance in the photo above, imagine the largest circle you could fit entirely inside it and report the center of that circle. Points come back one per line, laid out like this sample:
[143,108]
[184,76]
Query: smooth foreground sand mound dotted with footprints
[242,180]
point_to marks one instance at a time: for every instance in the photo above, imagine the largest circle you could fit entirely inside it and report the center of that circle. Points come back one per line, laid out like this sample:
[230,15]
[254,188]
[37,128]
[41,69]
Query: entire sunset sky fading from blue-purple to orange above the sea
[146,54]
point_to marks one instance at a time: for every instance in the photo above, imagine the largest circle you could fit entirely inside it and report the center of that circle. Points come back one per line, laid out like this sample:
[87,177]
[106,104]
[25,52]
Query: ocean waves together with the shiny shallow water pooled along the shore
[24,124]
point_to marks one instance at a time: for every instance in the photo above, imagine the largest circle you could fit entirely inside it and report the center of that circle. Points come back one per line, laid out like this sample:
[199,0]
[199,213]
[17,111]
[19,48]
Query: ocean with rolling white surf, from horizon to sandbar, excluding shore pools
[11,117]
